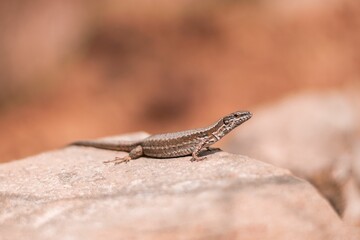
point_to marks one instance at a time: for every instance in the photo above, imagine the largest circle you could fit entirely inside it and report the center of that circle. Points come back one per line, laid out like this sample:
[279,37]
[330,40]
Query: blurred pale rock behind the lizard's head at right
[316,136]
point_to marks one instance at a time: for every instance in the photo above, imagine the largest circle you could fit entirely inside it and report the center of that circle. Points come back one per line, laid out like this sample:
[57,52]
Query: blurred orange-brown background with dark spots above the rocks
[74,70]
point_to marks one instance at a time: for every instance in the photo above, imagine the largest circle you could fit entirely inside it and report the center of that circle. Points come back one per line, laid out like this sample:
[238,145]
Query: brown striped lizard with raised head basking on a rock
[177,144]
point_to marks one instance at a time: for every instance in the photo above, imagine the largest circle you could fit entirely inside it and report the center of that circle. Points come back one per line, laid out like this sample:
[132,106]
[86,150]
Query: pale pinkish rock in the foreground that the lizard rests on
[71,194]
